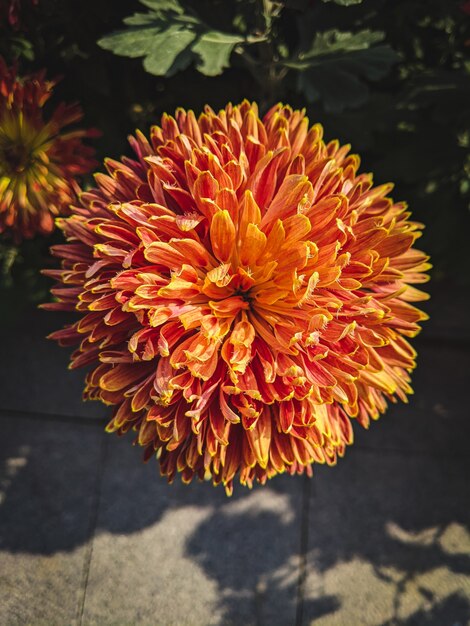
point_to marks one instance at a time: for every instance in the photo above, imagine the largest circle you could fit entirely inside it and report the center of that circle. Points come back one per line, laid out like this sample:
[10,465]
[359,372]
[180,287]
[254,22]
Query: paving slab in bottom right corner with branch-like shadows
[389,542]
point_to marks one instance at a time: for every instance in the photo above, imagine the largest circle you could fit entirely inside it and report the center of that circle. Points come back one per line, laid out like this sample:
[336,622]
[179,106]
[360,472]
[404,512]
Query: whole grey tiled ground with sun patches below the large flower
[89,535]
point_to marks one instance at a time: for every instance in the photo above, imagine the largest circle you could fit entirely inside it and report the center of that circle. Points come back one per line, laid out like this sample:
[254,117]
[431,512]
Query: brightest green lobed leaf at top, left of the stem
[170,39]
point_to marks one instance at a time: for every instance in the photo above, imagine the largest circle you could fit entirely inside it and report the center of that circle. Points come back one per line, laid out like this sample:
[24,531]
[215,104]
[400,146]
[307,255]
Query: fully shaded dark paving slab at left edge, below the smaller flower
[33,370]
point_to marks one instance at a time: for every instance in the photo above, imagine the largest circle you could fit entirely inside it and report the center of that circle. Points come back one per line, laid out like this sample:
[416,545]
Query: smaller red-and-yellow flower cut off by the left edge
[38,162]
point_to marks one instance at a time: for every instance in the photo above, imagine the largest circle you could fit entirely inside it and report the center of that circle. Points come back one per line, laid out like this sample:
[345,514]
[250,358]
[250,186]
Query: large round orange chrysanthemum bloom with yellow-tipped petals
[244,294]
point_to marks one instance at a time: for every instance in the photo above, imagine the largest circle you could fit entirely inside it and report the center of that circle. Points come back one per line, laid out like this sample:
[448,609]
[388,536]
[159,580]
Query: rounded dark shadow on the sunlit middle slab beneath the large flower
[266,539]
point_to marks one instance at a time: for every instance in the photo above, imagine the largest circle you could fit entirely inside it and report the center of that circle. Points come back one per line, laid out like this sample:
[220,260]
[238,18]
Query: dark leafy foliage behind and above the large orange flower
[391,77]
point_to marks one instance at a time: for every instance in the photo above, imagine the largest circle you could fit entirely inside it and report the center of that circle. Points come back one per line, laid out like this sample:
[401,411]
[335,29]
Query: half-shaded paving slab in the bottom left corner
[48,472]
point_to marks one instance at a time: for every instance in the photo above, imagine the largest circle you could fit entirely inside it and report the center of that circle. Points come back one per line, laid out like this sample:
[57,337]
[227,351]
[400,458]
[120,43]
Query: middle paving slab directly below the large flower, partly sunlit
[188,555]
